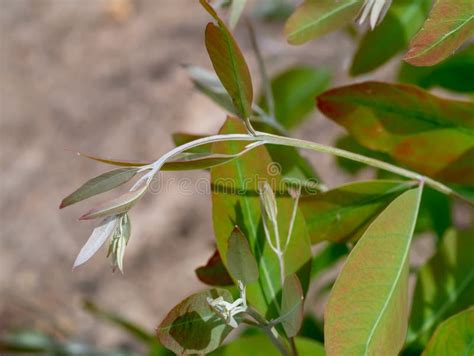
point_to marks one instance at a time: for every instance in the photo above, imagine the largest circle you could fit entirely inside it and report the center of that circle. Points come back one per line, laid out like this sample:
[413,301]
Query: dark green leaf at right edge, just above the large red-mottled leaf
[455,73]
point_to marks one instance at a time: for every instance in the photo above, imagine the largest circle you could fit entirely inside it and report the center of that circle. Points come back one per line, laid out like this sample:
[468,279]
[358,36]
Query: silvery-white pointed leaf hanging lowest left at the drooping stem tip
[100,234]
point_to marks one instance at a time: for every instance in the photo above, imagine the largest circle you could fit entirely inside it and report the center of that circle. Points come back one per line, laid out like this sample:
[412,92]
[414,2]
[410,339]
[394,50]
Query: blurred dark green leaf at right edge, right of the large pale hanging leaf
[445,285]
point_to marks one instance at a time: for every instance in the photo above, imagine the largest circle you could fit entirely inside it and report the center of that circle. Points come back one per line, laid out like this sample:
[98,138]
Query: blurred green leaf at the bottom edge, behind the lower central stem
[260,345]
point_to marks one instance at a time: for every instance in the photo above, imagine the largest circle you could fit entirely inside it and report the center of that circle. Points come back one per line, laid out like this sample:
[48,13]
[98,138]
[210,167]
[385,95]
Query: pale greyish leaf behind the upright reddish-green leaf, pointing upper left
[208,84]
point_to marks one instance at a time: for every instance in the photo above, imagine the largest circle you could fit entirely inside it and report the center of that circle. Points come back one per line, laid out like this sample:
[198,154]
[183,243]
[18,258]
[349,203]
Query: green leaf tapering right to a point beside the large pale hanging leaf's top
[344,213]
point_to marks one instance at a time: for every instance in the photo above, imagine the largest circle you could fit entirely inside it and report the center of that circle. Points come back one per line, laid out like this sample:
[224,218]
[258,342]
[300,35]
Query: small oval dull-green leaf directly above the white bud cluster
[240,261]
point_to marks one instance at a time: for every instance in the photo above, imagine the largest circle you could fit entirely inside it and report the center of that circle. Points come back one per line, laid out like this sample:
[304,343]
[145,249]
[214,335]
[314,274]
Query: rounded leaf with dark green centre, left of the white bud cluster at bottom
[192,326]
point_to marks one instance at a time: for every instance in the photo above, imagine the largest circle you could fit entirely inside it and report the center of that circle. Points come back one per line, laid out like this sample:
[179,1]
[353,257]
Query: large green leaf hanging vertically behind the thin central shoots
[236,202]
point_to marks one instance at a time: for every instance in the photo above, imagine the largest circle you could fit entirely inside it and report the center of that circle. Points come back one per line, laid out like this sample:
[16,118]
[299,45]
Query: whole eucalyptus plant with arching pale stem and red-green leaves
[270,207]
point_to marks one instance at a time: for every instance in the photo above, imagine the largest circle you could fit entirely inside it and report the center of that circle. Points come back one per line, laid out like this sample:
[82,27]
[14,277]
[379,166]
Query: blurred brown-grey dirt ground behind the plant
[105,77]
